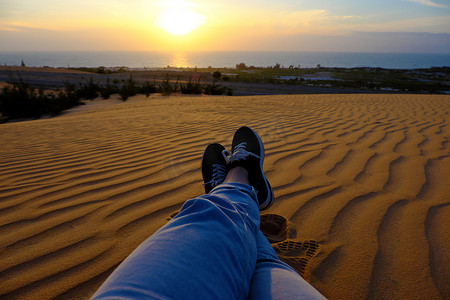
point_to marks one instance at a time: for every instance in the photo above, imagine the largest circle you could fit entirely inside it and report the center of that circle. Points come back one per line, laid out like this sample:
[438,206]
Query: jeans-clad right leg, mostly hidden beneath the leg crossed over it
[274,279]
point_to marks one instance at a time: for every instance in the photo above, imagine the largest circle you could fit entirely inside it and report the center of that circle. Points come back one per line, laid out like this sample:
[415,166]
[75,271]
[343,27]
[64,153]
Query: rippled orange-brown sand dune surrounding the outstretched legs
[364,176]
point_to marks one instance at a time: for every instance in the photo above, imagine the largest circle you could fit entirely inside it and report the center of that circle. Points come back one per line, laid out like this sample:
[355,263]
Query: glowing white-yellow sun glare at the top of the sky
[178,18]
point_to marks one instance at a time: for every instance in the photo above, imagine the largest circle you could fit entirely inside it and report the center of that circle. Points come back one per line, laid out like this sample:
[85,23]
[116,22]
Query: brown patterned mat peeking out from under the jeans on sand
[282,235]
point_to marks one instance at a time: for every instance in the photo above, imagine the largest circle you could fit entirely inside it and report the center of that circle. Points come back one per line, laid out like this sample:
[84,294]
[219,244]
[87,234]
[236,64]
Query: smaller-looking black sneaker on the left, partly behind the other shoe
[213,166]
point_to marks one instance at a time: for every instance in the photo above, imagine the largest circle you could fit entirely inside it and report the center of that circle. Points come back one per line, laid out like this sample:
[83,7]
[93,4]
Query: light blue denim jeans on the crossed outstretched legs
[213,249]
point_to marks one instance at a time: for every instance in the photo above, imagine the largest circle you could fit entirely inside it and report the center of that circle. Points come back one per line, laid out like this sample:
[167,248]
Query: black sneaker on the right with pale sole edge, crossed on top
[248,152]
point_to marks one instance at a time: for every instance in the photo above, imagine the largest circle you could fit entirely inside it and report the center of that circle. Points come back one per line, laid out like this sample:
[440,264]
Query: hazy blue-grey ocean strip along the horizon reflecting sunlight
[142,59]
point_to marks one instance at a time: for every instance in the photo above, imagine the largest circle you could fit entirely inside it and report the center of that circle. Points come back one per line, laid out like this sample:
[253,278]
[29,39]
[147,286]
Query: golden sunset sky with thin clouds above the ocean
[408,26]
